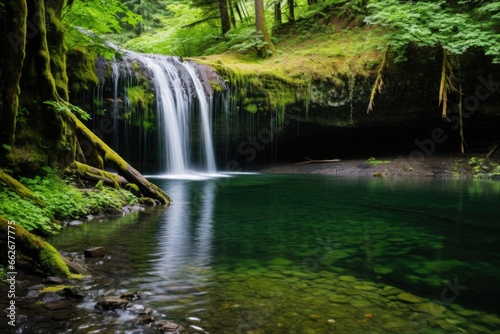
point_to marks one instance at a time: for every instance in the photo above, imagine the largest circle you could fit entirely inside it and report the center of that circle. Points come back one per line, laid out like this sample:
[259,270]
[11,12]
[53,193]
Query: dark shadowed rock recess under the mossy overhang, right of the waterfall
[332,121]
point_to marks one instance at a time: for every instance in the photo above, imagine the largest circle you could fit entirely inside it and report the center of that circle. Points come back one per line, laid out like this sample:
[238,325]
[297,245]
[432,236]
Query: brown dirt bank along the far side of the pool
[436,165]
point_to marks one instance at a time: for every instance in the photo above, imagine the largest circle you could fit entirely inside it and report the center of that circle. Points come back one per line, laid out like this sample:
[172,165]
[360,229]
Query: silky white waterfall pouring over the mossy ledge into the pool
[181,100]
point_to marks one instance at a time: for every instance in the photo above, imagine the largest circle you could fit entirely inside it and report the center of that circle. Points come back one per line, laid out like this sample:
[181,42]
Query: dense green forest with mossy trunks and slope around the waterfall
[273,51]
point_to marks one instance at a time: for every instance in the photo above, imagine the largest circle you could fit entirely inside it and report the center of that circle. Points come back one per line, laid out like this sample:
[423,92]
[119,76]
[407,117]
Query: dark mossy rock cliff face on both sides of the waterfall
[261,120]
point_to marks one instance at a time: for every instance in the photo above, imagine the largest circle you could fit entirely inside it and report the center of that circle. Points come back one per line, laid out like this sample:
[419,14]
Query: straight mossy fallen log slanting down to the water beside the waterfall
[147,188]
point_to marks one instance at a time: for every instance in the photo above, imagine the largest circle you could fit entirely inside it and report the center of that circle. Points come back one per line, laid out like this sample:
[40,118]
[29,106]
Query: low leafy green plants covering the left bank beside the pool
[63,201]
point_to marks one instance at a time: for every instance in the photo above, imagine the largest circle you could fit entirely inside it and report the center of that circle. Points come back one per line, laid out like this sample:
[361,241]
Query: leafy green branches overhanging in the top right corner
[437,24]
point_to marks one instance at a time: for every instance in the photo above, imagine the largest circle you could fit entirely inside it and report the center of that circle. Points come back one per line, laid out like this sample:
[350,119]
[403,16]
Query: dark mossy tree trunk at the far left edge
[13,47]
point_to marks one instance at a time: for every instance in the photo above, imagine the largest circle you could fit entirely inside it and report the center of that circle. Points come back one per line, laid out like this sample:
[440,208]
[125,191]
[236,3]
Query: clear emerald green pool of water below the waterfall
[302,254]
